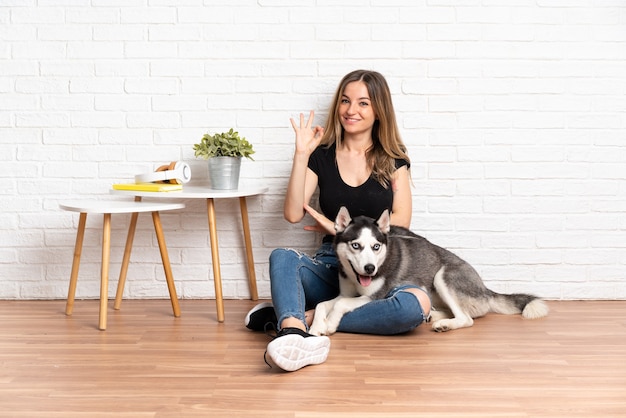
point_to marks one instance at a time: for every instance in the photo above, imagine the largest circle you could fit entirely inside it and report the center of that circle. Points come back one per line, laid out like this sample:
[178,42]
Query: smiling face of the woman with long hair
[356,112]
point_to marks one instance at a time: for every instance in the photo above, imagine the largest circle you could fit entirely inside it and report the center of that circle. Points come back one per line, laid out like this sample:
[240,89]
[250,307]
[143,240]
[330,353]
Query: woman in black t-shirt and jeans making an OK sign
[359,161]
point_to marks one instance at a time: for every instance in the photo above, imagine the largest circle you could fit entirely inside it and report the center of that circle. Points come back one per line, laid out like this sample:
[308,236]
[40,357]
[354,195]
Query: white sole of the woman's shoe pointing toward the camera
[292,352]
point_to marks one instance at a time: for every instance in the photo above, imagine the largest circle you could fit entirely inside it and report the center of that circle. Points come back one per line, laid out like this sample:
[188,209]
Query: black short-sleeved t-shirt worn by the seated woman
[369,199]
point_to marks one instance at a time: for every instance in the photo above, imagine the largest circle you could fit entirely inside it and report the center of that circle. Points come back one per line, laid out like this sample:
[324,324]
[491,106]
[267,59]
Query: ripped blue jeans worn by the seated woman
[299,282]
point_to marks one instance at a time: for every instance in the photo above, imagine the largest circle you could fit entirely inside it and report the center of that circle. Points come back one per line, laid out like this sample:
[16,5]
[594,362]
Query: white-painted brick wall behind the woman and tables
[515,117]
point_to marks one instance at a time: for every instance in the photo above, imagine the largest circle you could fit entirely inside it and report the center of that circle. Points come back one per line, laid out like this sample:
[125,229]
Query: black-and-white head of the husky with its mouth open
[361,245]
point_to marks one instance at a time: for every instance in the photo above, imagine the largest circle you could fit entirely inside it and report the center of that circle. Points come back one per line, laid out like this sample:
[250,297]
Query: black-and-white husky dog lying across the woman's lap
[376,257]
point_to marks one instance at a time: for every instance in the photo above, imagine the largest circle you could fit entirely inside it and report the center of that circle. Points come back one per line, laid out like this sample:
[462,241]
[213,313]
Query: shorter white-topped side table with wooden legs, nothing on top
[106,208]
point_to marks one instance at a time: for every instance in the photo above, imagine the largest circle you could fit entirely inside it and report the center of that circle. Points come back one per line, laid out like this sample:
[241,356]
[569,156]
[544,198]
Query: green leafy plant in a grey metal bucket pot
[223,152]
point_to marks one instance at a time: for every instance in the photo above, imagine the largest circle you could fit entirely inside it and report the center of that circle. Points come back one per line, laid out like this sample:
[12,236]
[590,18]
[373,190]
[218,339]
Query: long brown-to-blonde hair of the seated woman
[387,143]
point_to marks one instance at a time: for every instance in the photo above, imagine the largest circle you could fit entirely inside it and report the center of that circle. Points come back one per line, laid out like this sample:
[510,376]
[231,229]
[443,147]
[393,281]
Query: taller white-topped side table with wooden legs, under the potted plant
[195,192]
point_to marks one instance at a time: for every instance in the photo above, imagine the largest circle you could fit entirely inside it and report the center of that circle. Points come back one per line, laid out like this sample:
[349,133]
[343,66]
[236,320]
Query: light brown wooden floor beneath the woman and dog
[150,364]
